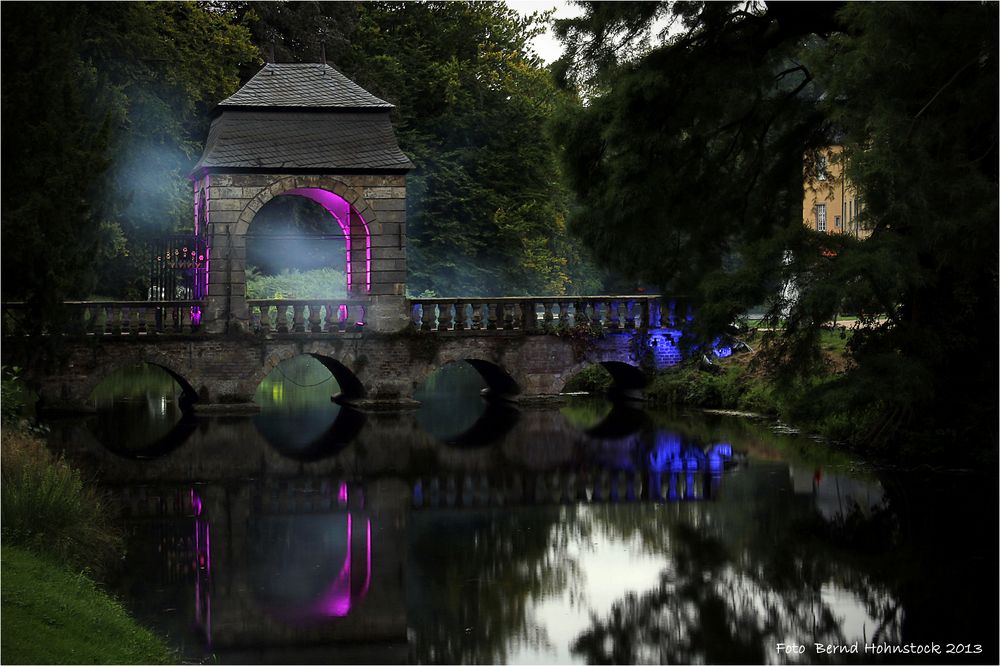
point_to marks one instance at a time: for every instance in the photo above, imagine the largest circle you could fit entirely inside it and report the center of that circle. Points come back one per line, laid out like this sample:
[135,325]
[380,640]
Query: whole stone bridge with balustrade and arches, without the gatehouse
[524,348]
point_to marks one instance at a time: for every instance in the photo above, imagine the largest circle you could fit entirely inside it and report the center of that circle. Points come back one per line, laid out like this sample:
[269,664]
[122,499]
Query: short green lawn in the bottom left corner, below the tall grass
[52,616]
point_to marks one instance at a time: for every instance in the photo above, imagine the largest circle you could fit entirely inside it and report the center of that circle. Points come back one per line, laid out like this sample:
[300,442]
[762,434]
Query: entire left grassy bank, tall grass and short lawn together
[57,535]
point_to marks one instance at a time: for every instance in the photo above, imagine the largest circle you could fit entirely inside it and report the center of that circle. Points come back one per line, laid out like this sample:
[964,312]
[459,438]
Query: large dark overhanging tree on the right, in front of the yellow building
[688,162]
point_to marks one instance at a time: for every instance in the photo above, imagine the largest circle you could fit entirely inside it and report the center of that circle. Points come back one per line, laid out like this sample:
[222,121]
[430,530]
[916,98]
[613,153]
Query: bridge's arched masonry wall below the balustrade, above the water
[226,370]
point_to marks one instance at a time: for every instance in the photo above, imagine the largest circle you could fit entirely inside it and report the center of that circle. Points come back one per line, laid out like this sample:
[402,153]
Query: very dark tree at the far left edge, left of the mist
[58,115]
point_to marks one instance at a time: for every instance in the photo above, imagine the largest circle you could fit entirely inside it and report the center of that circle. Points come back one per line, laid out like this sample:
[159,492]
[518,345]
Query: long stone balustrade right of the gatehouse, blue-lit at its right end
[535,313]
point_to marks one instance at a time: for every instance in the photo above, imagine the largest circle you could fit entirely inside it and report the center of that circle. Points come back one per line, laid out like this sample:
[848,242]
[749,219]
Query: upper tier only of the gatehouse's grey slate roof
[302,85]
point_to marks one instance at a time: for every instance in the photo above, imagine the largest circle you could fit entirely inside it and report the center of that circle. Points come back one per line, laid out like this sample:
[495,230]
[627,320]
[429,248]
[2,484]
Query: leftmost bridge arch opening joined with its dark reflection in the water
[143,411]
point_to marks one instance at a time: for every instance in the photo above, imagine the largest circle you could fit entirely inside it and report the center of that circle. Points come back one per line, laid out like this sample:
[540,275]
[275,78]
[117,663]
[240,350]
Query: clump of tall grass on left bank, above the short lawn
[47,507]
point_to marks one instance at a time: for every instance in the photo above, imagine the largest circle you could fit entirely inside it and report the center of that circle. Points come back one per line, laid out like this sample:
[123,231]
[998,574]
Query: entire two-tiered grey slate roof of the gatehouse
[303,117]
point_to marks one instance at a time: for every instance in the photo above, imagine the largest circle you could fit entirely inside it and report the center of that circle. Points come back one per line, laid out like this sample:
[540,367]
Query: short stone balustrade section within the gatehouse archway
[306,315]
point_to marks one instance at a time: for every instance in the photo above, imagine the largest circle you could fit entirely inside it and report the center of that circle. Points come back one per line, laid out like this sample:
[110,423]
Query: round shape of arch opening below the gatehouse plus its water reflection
[298,416]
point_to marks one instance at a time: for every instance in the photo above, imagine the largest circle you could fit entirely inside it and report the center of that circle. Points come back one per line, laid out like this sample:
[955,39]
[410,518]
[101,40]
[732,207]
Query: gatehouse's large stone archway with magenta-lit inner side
[356,218]
